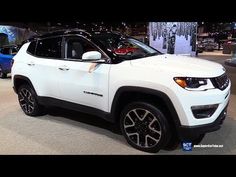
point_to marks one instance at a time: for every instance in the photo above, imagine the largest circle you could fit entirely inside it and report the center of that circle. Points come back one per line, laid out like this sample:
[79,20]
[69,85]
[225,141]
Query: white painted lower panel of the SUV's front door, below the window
[76,80]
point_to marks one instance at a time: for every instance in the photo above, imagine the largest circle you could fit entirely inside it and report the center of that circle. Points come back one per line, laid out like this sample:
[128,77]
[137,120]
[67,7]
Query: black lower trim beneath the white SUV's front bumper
[188,133]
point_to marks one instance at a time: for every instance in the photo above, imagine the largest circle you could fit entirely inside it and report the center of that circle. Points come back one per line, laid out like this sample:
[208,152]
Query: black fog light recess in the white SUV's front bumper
[204,111]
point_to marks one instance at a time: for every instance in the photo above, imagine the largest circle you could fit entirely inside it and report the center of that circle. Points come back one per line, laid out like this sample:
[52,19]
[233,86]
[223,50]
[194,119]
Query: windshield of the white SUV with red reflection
[126,47]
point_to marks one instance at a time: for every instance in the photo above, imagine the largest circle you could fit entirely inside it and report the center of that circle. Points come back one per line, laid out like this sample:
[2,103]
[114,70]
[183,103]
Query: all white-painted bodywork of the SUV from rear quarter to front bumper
[155,72]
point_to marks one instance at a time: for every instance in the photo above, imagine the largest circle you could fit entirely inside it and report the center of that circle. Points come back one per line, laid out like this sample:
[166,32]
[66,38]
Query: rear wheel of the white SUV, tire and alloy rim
[28,101]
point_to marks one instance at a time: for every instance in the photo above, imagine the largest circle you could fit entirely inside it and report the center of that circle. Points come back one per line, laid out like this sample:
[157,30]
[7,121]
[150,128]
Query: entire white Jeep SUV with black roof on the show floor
[158,99]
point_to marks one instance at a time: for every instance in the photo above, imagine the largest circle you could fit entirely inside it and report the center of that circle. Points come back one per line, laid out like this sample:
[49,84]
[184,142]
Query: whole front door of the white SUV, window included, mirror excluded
[83,82]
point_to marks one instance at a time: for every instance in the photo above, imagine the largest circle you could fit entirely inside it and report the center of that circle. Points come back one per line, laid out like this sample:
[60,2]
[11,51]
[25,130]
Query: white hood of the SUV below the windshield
[180,65]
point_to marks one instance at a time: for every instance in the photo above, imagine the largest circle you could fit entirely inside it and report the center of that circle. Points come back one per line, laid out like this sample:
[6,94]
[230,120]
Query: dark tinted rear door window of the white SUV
[50,47]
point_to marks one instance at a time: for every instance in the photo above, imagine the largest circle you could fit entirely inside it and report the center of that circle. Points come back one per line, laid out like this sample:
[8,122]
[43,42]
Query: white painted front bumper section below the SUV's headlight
[184,100]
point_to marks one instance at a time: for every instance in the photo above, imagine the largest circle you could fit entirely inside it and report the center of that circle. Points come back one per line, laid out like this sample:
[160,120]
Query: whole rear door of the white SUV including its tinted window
[42,66]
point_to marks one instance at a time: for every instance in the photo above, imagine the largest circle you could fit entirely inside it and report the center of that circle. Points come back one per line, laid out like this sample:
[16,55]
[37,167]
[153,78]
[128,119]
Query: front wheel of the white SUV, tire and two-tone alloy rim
[144,126]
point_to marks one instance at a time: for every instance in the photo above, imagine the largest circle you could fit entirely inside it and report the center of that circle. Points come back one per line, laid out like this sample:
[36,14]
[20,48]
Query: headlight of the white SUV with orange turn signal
[192,83]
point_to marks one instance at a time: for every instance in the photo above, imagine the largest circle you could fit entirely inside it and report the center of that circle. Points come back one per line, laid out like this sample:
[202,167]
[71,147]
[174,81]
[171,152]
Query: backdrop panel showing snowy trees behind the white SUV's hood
[173,37]
